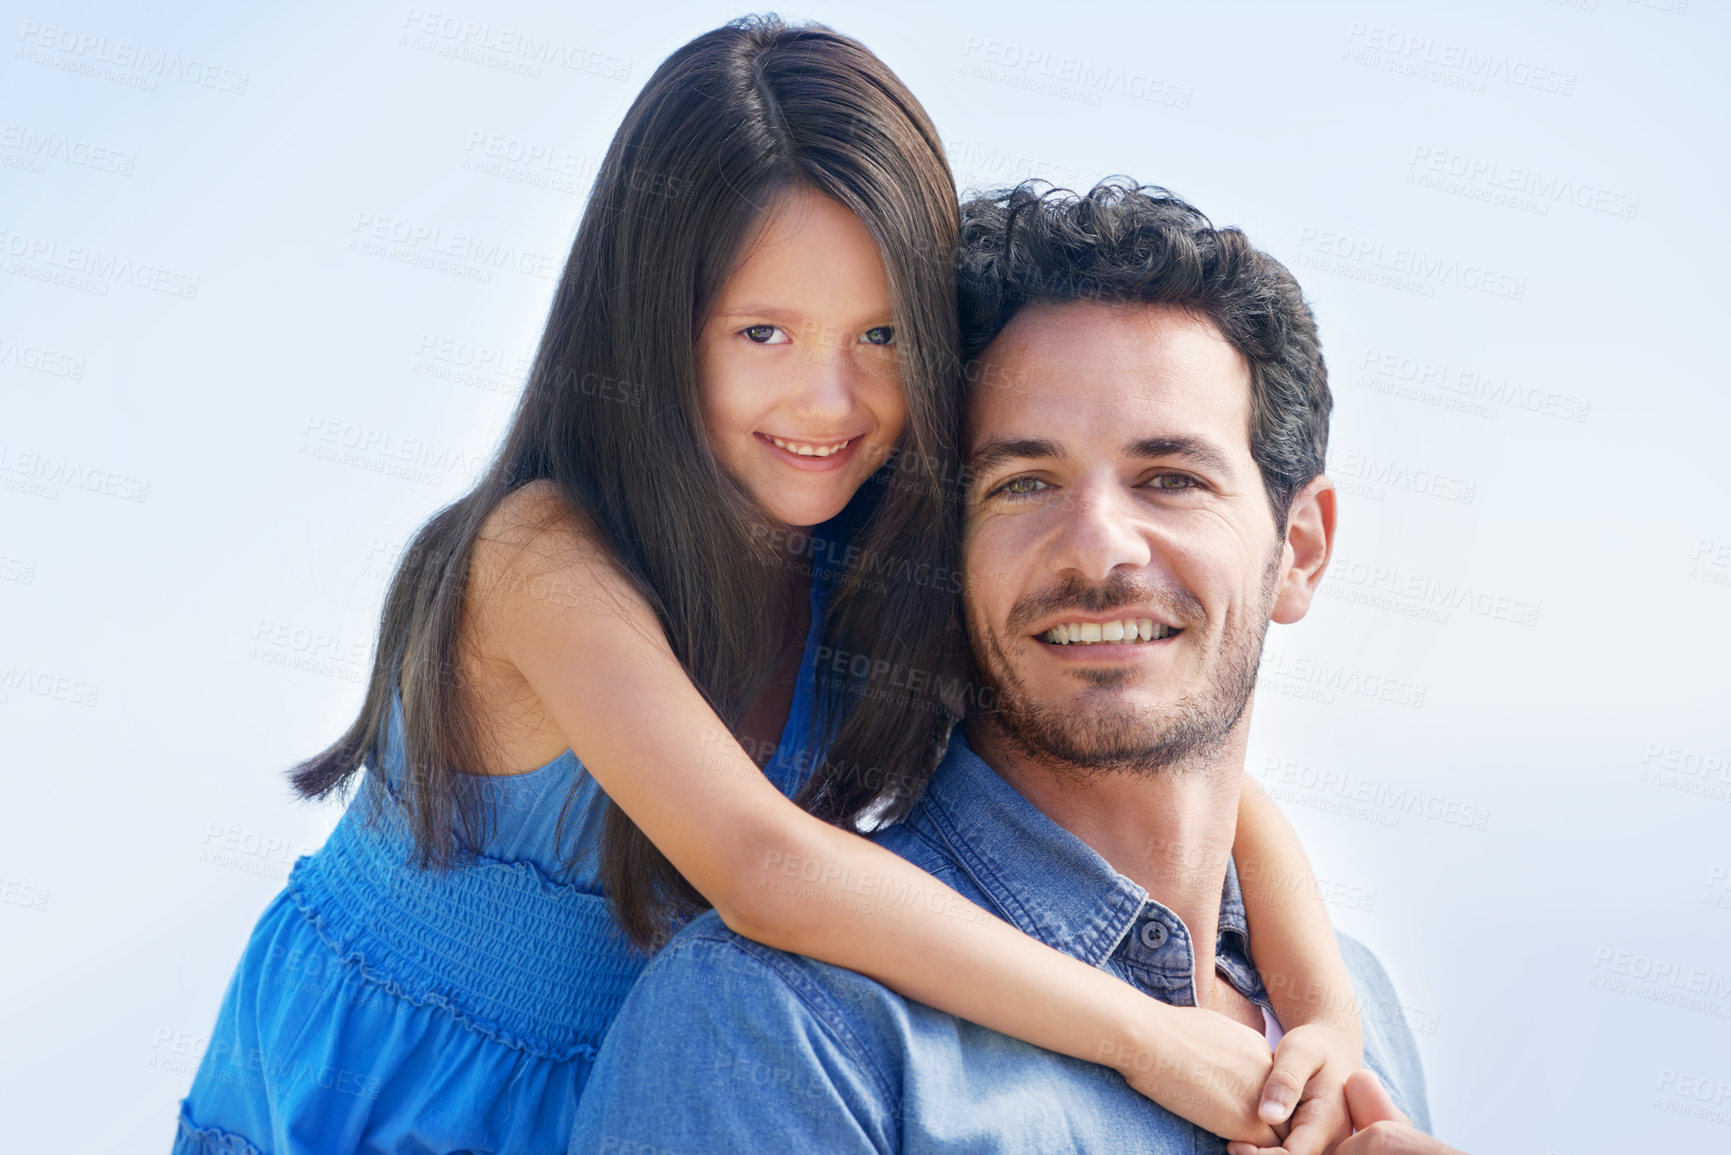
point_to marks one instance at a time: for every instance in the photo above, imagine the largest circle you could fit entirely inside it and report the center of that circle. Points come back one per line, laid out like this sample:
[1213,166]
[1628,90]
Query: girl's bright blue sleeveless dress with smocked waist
[389,1010]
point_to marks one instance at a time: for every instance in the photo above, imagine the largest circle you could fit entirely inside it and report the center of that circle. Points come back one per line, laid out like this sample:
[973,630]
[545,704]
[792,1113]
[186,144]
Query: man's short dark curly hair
[1129,243]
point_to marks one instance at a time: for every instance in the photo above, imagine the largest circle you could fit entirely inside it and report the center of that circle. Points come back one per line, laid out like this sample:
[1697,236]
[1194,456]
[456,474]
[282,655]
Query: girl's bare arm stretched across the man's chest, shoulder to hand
[595,655]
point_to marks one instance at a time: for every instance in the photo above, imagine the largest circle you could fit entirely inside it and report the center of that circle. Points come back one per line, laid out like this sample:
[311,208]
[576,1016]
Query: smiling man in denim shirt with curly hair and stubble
[1145,494]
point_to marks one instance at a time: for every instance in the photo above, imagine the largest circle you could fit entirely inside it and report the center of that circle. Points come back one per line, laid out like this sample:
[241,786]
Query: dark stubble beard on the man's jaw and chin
[1114,739]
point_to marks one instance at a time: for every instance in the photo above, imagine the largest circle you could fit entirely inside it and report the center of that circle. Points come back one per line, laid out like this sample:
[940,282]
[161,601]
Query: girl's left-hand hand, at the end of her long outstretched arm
[1207,1069]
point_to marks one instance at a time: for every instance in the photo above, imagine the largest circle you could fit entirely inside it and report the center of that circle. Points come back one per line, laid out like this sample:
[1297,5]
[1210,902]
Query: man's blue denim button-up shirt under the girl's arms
[726,1045]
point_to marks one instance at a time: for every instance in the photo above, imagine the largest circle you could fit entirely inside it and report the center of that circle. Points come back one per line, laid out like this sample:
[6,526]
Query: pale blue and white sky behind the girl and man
[188,591]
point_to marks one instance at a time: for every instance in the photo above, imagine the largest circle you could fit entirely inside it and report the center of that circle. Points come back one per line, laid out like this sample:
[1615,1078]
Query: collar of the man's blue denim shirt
[1043,879]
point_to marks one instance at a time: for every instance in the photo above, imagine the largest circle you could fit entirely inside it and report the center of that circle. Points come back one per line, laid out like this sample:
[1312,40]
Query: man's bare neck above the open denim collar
[1168,830]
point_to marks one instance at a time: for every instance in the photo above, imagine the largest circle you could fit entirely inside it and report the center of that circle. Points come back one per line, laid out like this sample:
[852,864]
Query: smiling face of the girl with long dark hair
[797,366]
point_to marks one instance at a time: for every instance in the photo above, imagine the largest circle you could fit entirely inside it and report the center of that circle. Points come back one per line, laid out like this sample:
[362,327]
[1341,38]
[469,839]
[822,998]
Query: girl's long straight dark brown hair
[612,418]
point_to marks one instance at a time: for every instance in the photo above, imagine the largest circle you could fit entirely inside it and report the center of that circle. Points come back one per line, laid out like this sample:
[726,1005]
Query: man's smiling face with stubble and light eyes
[1114,501]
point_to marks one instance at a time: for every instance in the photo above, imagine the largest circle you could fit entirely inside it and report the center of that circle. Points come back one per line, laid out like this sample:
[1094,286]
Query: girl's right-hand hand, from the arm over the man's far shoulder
[1310,1071]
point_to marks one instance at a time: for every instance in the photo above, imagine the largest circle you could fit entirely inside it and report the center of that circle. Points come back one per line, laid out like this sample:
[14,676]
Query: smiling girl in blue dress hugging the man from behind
[724,520]
